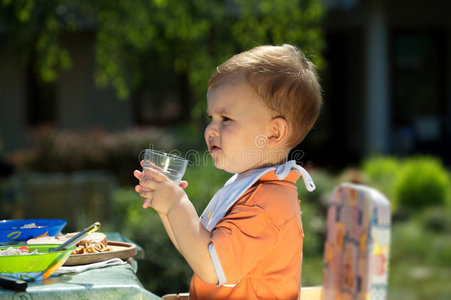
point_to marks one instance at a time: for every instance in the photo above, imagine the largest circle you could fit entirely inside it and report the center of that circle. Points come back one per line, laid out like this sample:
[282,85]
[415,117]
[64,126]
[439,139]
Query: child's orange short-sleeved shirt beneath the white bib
[259,244]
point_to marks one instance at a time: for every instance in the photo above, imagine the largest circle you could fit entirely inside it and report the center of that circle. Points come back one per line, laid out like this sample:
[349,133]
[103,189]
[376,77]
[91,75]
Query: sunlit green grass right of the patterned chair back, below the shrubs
[420,263]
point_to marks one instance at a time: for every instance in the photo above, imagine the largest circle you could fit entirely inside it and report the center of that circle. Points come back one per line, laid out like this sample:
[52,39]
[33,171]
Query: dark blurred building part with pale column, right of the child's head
[388,84]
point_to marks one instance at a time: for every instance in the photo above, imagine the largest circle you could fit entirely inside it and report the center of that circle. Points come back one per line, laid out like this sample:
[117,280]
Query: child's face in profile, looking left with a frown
[237,134]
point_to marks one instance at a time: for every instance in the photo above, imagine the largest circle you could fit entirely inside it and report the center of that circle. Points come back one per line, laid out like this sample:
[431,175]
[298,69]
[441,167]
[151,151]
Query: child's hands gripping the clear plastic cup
[158,191]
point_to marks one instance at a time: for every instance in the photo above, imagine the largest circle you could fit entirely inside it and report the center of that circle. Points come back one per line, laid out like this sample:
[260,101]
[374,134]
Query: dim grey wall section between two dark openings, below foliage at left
[82,105]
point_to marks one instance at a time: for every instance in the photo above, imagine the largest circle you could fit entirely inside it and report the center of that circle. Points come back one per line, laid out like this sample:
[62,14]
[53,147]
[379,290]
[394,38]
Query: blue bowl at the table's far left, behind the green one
[13,231]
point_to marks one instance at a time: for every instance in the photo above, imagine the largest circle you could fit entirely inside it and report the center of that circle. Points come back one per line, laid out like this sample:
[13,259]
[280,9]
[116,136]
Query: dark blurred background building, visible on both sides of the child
[387,86]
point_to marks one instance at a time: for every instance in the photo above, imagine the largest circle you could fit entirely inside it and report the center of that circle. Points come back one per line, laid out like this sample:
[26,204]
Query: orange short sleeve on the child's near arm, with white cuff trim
[241,239]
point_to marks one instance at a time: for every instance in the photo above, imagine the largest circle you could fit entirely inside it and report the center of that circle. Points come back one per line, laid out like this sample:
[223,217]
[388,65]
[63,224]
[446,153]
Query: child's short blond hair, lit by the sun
[283,78]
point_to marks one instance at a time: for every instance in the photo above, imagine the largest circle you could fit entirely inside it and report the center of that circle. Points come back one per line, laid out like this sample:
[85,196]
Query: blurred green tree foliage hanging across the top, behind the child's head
[138,41]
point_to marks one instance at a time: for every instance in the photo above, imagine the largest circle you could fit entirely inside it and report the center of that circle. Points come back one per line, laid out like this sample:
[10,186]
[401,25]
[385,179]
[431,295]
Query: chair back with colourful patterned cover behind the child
[357,244]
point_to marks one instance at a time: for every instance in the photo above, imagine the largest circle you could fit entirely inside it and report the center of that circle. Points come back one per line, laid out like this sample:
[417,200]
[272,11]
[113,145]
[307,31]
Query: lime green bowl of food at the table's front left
[32,262]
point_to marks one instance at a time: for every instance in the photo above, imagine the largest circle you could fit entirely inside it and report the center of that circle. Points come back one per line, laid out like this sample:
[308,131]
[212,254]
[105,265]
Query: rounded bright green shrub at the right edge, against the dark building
[421,182]
